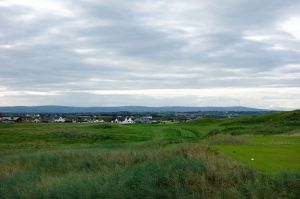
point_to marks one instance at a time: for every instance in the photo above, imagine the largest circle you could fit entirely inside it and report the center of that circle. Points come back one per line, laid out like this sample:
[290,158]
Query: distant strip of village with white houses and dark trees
[121,118]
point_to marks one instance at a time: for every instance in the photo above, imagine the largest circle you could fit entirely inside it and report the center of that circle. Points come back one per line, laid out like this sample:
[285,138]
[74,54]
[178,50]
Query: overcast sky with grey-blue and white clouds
[150,52]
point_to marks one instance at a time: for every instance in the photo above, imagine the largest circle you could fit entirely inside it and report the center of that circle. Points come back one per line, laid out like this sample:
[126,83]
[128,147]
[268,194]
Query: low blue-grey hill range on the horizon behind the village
[133,109]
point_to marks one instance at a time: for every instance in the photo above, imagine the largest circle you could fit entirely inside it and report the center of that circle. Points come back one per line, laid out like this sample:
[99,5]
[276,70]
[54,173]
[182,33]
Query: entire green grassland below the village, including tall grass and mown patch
[201,159]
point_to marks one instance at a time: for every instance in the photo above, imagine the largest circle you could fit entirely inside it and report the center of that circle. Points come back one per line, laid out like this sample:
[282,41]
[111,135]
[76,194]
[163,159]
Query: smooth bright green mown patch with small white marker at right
[267,153]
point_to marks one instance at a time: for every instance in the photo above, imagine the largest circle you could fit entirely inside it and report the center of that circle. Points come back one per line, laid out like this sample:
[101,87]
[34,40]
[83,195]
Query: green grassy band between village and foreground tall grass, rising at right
[50,134]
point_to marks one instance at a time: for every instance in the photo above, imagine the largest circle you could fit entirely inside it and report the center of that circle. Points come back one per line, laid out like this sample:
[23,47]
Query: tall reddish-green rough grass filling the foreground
[189,171]
